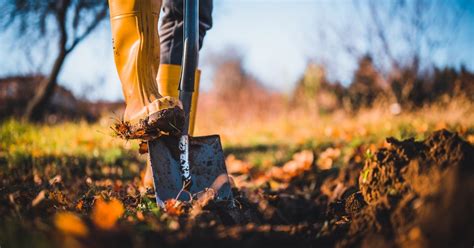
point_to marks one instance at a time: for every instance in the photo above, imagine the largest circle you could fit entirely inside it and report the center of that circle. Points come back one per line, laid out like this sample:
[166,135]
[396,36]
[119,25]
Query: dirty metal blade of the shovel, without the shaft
[207,167]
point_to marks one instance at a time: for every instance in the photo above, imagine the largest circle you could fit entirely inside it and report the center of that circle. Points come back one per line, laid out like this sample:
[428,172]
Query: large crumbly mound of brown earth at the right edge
[418,193]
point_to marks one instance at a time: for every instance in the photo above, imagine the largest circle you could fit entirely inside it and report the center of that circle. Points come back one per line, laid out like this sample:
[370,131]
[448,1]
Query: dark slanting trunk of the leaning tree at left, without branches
[37,106]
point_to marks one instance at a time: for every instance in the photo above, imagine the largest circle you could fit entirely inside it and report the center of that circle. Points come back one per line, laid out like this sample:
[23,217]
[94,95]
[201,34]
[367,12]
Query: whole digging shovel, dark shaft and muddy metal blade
[185,166]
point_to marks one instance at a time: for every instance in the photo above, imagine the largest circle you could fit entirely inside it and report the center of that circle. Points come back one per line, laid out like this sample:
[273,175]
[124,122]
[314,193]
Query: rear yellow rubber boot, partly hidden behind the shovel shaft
[168,85]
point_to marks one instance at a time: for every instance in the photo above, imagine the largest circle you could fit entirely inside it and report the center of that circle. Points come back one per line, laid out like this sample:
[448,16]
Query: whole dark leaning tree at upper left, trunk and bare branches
[70,22]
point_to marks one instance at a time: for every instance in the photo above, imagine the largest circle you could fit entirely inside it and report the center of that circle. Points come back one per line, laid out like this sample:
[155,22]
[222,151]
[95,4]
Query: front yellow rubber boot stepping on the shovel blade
[136,47]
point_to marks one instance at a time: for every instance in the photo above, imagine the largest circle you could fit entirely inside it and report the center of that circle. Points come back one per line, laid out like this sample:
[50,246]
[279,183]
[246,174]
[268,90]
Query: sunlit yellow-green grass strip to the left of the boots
[71,139]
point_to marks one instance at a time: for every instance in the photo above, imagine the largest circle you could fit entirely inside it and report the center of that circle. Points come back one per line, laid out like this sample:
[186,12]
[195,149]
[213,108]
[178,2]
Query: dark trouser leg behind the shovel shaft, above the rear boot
[171,29]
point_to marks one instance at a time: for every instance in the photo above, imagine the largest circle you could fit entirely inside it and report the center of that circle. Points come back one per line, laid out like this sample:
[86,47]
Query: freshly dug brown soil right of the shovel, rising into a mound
[411,194]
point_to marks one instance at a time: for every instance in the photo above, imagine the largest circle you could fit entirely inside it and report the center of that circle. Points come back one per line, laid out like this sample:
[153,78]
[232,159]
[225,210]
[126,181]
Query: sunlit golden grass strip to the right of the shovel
[272,140]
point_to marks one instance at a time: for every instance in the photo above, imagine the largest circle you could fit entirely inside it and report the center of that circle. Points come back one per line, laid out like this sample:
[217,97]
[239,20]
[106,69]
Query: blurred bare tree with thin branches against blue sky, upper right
[415,25]
